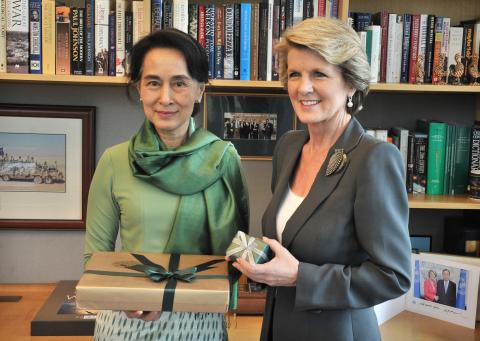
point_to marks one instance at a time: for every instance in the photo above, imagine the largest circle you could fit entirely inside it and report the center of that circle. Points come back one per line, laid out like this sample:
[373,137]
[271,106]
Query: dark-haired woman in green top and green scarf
[171,188]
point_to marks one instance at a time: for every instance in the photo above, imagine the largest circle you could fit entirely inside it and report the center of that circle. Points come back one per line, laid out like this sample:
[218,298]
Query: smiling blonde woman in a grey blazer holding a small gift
[338,218]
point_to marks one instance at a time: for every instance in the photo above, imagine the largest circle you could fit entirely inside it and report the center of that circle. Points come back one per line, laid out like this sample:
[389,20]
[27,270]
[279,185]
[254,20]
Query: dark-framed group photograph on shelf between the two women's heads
[252,122]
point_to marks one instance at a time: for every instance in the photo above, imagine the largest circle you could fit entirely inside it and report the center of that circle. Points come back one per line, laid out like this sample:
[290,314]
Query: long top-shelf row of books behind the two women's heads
[95,37]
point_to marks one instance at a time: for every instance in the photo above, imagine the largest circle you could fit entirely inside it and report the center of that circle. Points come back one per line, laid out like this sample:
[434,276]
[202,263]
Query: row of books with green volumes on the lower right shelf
[439,158]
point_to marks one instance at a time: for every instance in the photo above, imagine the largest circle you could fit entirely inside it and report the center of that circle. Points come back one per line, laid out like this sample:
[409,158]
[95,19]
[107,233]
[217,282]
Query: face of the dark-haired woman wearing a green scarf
[168,92]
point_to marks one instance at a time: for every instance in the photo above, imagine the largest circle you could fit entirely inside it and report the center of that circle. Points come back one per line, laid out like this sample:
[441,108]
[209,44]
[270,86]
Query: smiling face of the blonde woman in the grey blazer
[316,88]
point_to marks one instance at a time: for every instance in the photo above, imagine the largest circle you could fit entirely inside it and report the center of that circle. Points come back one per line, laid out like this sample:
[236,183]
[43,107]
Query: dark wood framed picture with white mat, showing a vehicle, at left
[46,165]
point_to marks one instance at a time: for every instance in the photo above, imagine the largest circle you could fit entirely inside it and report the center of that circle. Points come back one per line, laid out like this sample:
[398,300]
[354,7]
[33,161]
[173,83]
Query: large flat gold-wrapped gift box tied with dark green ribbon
[154,282]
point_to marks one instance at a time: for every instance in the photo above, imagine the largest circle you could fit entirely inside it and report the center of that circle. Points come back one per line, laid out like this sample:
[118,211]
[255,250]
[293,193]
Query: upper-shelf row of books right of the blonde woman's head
[419,48]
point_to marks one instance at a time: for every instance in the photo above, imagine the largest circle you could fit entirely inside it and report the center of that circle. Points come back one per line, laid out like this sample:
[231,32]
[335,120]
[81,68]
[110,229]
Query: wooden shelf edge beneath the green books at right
[445,202]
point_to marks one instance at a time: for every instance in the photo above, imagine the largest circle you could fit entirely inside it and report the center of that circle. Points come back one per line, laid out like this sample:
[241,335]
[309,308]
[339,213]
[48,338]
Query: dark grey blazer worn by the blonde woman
[350,235]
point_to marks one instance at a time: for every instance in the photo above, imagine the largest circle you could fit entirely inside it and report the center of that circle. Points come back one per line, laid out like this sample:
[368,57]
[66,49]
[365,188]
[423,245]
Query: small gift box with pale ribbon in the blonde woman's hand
[252,249]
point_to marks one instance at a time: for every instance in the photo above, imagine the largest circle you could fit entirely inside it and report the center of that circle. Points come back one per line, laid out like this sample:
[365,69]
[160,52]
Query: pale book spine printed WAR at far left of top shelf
[17,36]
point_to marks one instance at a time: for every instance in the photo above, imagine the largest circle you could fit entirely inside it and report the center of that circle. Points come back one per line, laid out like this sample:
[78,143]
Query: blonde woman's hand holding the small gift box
[282,270]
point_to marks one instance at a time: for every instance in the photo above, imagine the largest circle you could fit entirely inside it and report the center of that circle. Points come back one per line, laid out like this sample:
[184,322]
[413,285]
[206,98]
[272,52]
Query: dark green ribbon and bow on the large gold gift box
[157,273]
